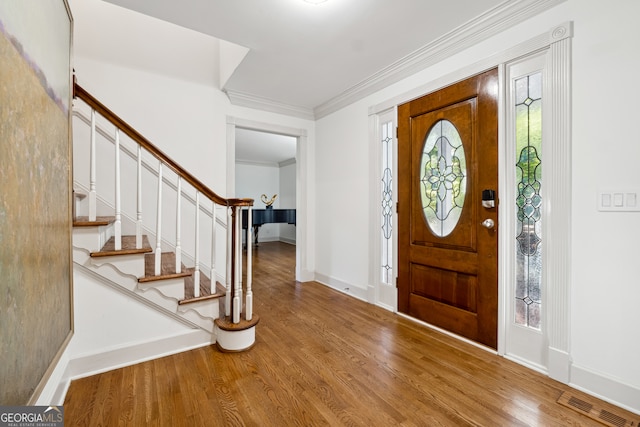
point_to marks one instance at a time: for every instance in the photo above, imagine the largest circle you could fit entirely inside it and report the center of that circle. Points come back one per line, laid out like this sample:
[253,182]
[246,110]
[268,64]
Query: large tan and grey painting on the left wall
[36,318]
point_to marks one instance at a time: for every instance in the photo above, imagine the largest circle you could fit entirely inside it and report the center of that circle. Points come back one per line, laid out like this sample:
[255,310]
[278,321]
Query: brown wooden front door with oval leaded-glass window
[448,238]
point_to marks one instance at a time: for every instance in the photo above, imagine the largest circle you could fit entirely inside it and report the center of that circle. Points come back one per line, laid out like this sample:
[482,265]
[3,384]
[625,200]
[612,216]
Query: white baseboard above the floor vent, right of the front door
[606,388]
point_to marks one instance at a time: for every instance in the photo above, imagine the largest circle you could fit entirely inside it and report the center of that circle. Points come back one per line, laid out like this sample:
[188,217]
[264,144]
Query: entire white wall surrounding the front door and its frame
[605,287]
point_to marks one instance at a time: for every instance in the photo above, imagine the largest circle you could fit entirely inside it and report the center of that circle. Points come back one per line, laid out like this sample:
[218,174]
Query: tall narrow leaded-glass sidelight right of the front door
[528,108]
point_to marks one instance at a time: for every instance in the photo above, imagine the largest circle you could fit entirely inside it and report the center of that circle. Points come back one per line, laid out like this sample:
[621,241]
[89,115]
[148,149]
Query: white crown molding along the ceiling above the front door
[494,21]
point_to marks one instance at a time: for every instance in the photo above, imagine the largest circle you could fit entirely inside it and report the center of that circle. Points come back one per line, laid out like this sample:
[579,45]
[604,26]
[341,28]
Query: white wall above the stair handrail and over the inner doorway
[163,80]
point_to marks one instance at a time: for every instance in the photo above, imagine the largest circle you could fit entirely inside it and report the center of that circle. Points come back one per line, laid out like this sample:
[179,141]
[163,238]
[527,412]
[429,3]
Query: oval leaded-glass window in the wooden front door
[443,178]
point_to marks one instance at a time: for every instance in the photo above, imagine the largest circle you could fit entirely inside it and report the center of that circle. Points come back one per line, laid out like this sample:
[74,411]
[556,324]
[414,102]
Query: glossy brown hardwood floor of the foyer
[324,358]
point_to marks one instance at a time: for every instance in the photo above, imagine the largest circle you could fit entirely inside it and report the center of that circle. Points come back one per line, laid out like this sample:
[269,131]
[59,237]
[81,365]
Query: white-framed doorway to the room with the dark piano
[267,163]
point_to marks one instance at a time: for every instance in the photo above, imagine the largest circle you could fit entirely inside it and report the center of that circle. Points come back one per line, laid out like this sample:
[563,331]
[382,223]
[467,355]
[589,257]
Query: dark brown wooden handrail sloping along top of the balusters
[80,92]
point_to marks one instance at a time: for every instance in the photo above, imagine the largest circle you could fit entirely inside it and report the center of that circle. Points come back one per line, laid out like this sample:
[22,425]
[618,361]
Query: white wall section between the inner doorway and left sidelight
[343,191]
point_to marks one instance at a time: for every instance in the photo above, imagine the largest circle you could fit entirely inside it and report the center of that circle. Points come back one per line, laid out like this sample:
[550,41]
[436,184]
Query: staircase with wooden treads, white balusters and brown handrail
[115,237]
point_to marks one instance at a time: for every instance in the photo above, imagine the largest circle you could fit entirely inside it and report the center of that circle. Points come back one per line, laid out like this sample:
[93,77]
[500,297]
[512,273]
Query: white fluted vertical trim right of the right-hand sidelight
[557,156]
